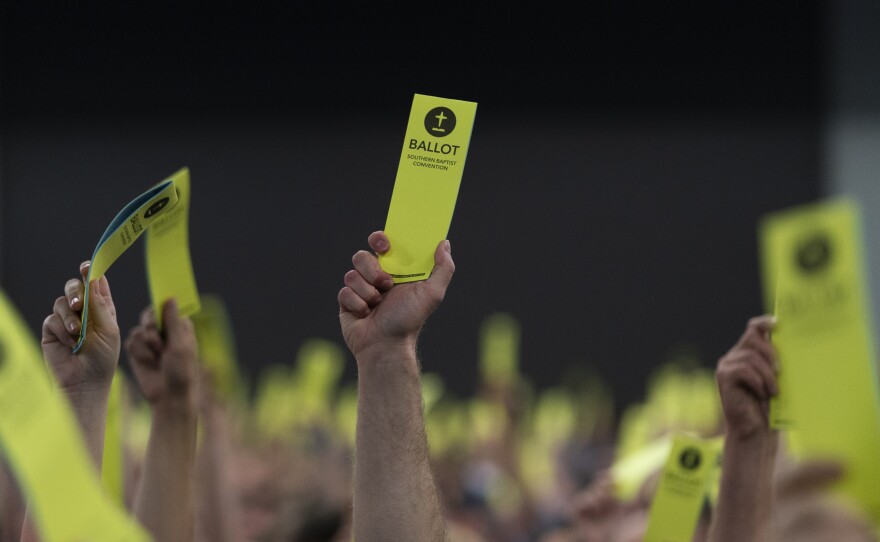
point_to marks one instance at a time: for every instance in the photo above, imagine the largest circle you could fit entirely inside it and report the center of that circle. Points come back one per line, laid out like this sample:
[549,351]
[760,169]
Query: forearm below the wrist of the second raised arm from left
[164,504]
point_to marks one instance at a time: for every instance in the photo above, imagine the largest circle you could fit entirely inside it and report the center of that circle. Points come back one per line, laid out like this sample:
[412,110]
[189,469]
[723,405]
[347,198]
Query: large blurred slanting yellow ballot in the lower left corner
[41,442]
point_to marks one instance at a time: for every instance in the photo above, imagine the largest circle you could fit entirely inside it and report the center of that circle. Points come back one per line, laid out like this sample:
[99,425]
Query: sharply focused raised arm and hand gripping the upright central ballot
[395,496]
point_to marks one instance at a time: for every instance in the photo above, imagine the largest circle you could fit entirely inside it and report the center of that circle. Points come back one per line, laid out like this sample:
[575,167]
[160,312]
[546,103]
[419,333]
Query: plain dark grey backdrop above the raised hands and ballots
[619,161]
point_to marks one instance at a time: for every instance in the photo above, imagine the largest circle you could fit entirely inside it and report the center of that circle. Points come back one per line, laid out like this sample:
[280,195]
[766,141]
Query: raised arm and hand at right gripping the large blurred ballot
[746,378]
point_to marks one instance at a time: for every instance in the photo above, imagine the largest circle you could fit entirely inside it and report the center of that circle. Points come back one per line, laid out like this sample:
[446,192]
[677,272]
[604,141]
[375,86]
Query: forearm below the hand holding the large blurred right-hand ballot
[746,492]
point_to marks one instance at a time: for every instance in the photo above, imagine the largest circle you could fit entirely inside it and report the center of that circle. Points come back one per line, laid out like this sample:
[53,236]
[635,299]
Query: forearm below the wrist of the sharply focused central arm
[395,497]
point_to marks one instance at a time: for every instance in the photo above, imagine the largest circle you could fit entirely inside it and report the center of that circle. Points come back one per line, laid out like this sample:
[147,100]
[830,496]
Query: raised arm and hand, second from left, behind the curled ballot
[165,368]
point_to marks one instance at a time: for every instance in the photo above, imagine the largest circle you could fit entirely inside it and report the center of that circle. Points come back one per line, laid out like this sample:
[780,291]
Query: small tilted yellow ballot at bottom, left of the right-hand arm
[681,490]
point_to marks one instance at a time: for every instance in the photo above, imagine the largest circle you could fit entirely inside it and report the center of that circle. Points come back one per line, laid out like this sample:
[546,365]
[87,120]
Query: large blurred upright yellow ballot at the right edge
[813,274]
